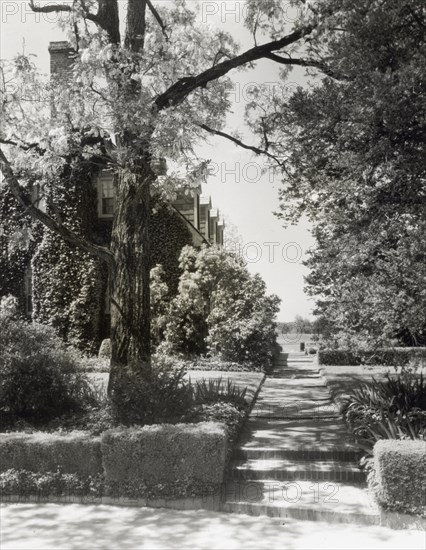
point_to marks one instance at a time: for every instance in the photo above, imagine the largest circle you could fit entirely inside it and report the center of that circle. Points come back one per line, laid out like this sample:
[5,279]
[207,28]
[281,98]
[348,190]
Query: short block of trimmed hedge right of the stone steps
[399,474]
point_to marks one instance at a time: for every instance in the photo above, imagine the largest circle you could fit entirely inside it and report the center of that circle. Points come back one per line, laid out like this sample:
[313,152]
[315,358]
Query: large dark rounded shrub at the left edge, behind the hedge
[39,377]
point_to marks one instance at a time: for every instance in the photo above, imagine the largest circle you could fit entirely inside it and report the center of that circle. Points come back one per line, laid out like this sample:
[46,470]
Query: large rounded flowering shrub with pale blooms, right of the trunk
[221,309]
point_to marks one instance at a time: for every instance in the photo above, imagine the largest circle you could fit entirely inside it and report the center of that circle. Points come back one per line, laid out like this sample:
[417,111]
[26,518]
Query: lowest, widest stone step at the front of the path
[304,500]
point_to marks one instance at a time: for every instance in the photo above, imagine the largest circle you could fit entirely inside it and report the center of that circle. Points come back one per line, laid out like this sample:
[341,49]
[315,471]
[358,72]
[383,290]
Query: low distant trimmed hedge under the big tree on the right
[387,357]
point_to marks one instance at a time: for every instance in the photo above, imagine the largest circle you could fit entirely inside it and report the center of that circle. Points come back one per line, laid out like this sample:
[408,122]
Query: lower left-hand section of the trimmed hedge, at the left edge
[73,453]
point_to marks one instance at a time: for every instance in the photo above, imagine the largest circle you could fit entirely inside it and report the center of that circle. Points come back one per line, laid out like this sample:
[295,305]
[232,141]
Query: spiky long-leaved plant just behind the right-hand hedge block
[393,409]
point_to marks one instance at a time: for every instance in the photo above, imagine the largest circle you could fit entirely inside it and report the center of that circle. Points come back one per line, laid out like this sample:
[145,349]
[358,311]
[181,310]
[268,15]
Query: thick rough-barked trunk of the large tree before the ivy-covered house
[130,280]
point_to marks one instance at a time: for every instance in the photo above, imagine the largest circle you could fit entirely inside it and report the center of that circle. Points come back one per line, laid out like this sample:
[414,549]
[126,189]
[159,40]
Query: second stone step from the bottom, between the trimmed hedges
[290,470]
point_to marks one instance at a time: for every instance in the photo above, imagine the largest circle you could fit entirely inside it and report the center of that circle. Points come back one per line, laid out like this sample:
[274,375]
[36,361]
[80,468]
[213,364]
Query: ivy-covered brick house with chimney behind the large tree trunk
[60,285]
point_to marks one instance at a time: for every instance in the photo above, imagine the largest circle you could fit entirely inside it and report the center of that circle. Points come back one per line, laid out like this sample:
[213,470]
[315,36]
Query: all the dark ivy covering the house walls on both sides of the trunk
[69,286]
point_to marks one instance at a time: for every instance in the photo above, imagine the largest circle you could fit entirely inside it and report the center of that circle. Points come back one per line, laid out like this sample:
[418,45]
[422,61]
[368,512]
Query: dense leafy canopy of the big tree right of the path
[356,166]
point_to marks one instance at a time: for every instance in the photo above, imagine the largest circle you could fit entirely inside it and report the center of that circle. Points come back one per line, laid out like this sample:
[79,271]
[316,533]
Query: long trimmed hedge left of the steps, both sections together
[167,461]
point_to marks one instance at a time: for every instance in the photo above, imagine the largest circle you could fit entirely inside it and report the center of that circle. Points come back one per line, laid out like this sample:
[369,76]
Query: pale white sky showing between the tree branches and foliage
[244,197]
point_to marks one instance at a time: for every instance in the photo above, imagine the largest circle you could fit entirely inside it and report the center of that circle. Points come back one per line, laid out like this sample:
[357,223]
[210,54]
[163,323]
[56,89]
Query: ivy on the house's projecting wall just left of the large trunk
[68,284]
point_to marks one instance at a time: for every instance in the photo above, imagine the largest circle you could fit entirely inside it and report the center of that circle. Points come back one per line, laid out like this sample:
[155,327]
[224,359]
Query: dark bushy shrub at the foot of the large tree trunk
[149,397]
